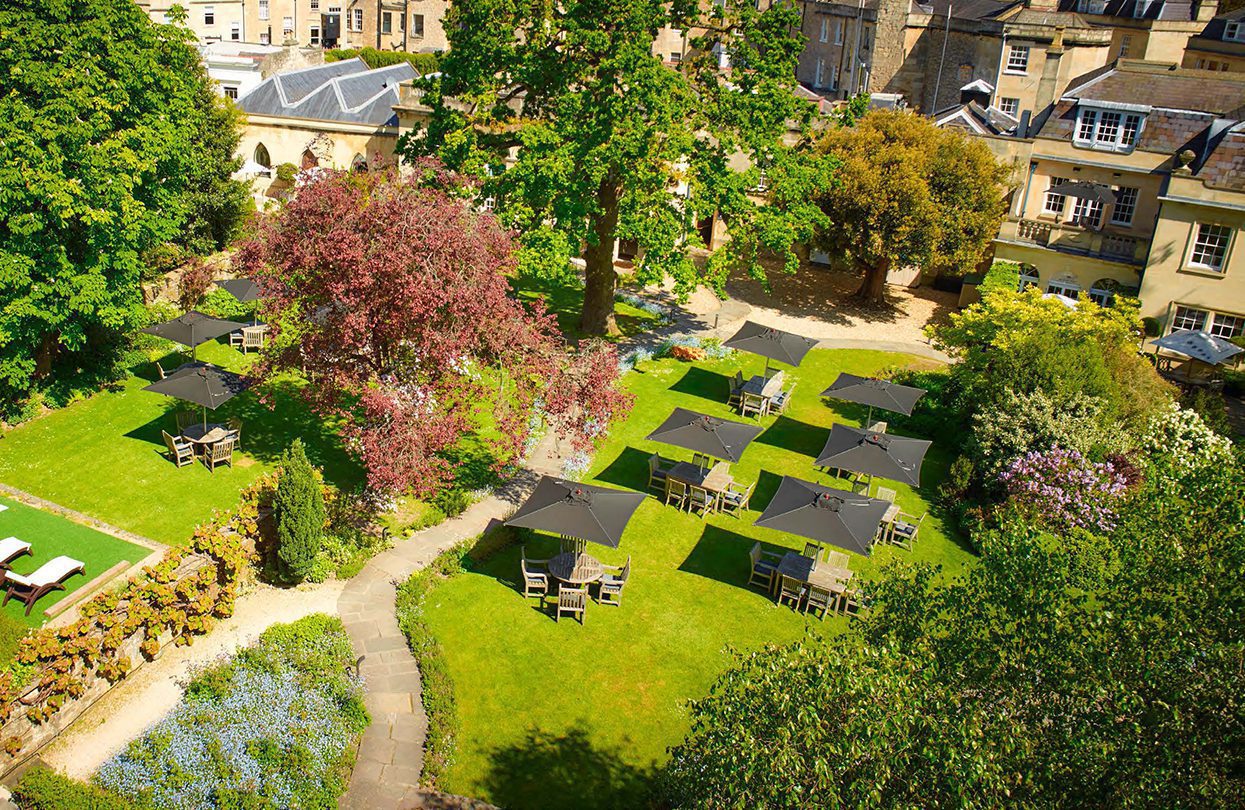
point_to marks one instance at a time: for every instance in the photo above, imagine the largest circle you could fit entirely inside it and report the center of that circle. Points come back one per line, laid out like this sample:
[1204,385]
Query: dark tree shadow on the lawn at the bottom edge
[566,770]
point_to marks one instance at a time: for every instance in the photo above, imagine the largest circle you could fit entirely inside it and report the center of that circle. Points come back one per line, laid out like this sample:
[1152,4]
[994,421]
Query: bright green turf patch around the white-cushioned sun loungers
[52,536]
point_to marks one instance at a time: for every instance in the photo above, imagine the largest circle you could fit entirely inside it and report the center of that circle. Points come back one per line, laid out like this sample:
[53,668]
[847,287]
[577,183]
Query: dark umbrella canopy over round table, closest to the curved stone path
[578,511]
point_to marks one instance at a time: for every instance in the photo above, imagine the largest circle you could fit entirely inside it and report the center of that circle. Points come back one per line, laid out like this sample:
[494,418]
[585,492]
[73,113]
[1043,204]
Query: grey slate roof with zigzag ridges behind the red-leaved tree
[343,91]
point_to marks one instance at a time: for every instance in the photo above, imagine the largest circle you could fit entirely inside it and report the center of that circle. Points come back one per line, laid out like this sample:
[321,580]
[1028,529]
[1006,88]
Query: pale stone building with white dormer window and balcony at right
[1136,185]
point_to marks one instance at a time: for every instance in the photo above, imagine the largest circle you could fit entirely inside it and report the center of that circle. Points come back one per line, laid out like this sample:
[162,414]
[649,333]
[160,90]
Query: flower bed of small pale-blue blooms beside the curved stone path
[273,727]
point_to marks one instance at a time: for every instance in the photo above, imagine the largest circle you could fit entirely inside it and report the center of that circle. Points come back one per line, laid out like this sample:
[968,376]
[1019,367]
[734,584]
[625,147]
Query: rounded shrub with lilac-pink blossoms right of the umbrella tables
[1065,490]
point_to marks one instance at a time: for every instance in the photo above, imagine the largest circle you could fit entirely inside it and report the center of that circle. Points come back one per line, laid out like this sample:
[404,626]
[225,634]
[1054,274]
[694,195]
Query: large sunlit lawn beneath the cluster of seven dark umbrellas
[563,716]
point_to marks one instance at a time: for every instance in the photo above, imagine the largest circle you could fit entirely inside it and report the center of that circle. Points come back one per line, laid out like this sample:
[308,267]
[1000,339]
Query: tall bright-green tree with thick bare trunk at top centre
[608,142]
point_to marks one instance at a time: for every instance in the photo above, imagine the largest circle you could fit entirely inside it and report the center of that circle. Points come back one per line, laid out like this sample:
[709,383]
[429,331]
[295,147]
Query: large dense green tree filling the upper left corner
[111,142]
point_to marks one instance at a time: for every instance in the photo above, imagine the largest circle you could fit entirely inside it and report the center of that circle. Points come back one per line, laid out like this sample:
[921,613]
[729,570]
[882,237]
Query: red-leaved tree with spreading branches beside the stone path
[390,293]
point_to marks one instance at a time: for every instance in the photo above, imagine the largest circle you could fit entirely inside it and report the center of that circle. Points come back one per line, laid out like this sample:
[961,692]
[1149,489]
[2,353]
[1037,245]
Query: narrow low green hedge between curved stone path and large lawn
[438,686]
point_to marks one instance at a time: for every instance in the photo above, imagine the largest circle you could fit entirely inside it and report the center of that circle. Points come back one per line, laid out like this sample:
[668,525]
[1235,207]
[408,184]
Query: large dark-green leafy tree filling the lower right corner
[1090,671]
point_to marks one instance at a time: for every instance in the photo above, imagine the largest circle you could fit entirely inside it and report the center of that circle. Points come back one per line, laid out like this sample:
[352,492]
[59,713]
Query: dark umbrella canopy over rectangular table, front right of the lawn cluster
[825,516]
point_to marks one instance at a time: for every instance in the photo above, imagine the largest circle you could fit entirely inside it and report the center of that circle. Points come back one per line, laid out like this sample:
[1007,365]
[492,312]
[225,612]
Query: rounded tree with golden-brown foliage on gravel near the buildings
[909,193]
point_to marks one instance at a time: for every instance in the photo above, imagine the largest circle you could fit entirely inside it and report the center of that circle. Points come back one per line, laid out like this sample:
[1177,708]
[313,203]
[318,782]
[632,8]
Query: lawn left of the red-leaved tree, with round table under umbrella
[105,457]
